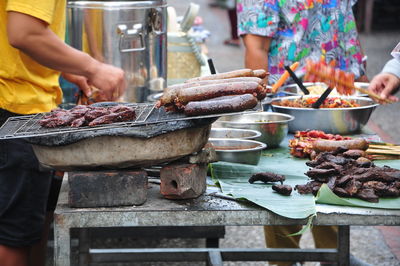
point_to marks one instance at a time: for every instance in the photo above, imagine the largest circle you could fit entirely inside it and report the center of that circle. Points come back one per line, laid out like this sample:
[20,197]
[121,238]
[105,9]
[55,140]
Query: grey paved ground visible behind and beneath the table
[375,245]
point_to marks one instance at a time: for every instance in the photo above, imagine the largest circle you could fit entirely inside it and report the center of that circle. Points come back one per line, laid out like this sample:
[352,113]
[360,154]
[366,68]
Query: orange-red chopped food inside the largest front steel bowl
[330,102]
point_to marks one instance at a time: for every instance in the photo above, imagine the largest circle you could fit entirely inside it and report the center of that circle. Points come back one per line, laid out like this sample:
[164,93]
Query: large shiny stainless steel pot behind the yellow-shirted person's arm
[128,34]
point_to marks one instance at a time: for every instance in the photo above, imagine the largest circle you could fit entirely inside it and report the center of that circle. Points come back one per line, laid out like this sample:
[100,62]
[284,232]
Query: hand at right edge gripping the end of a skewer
[385,84]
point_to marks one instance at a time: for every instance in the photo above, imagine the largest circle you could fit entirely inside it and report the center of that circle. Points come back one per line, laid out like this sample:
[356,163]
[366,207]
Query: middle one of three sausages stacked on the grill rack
[206,92]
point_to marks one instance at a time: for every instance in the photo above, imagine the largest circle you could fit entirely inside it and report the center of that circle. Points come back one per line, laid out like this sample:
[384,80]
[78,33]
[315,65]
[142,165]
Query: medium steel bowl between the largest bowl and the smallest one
[273,126]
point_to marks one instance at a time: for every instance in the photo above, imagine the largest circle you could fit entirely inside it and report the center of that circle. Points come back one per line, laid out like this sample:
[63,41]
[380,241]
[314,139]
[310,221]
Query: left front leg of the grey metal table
[62,246]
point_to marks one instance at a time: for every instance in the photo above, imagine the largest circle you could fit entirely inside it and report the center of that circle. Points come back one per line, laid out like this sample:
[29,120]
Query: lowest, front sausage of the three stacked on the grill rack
[225,104]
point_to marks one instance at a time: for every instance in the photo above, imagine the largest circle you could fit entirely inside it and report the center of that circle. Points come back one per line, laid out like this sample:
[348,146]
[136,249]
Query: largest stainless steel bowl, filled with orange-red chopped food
[329,120]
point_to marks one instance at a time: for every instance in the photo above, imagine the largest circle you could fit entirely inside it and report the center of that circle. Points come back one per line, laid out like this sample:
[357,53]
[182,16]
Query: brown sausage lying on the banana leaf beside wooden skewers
[332,145]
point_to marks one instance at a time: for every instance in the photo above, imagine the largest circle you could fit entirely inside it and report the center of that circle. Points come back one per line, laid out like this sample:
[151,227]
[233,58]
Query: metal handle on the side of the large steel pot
[126,37]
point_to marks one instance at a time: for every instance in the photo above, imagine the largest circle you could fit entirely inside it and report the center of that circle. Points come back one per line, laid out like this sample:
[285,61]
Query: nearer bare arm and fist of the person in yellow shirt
[33,37]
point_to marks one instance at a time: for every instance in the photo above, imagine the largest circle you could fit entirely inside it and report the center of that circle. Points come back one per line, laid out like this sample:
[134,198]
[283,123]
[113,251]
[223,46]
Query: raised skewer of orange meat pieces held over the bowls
[344,82]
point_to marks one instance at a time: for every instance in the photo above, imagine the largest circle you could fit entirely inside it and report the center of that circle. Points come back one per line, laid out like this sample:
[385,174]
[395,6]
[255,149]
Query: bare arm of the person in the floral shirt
[256,53]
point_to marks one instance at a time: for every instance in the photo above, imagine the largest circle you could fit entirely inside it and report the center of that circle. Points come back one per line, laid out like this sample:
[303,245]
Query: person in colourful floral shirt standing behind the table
[277,33]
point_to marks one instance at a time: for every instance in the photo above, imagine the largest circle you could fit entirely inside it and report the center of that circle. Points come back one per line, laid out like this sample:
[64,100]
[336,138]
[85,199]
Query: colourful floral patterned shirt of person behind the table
[302,29]
